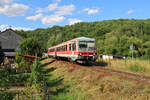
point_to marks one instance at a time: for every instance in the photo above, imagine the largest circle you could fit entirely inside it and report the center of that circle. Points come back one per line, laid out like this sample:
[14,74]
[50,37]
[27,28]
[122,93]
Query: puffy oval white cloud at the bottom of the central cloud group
[53,19]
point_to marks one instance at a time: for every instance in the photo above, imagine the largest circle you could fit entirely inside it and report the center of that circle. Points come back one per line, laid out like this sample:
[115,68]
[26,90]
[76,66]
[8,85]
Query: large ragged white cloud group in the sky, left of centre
[58,15]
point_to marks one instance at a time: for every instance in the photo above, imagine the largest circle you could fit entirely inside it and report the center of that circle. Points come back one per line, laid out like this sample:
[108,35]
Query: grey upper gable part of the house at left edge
[10,39]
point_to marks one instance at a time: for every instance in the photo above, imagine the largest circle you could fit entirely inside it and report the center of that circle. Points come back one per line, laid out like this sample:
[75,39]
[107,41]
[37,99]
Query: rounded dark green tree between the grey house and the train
[31,46]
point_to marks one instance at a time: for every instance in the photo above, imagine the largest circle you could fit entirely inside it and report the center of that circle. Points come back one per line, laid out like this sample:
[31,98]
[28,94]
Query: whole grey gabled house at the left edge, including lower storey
[10,41]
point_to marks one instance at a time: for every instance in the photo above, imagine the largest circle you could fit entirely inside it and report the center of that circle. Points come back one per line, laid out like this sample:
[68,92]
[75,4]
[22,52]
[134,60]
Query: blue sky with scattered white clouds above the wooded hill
[33,14]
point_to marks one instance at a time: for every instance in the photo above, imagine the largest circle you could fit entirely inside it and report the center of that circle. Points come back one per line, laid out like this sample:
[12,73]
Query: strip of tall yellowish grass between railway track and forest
[136,65]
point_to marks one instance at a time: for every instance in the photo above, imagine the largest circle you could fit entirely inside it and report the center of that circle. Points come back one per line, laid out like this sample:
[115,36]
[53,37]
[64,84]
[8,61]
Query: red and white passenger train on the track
[81,49]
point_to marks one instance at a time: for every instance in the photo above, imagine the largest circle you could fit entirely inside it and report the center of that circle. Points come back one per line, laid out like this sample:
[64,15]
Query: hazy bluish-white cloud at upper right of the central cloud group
[65,10]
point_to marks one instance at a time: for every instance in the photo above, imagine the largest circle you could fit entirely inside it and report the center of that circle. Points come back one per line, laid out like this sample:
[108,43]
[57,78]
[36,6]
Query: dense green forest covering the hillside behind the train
[113,36]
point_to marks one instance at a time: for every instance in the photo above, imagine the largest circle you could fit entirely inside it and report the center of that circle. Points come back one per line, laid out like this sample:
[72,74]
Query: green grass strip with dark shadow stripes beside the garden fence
[54,84]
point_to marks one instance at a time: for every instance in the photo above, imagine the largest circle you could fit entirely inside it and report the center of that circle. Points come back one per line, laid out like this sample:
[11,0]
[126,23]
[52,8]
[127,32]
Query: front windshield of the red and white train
[88,46]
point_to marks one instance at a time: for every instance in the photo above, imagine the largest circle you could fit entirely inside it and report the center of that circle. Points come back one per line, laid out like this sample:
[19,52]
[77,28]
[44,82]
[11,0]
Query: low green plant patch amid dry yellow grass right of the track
[137,68]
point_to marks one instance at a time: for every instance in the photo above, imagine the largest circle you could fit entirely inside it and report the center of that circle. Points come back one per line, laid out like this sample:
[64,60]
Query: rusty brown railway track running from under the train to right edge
[138,78]
